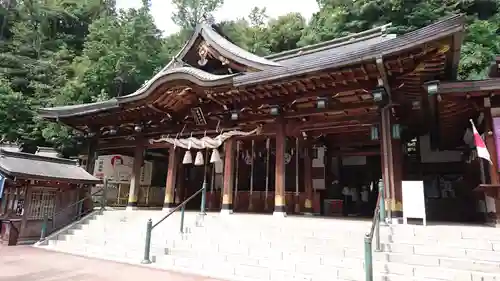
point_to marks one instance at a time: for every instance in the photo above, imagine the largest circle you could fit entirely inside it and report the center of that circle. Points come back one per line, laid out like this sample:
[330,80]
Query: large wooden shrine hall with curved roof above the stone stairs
[349,112]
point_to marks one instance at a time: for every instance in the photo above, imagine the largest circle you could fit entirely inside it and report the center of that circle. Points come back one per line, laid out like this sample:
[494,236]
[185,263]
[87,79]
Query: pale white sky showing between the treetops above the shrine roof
[232,9]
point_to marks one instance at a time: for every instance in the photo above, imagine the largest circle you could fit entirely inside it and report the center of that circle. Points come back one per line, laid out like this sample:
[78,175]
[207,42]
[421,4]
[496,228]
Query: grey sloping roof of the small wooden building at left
[37,167]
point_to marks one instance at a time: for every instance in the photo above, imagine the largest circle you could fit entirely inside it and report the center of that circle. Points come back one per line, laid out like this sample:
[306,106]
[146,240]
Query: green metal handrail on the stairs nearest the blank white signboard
[378,216]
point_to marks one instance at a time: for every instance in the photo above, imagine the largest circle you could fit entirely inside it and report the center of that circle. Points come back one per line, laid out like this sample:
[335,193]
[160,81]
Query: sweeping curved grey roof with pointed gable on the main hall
[339,52]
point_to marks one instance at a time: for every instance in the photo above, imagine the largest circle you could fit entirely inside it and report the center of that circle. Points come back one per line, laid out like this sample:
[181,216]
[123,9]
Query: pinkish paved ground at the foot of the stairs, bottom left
[24,263]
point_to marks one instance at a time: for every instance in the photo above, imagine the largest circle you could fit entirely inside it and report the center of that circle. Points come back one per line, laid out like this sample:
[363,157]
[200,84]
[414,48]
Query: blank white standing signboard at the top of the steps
[413,201]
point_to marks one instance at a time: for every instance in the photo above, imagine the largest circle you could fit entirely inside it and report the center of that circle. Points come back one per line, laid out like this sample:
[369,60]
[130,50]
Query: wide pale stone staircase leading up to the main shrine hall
[261,247]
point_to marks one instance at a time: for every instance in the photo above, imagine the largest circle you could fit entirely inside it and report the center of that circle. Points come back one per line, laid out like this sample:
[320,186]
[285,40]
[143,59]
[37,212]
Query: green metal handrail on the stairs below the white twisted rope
[150,226]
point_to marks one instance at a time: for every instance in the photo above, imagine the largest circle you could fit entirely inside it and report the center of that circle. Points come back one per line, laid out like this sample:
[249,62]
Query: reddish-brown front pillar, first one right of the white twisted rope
[279,196]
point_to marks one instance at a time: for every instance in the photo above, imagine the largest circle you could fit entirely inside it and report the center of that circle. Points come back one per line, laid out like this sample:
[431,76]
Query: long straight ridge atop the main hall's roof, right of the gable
[369,33]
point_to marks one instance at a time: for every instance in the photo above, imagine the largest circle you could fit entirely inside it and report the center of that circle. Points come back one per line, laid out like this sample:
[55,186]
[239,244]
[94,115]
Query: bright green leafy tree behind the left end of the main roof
[121,52]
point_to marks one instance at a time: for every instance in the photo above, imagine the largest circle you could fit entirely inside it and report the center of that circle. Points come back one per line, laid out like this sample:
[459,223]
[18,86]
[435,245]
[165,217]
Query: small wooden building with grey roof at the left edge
[34,186]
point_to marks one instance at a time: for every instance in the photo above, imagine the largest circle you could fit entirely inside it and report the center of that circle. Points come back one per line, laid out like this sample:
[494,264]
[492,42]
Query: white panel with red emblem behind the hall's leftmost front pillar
[118,169]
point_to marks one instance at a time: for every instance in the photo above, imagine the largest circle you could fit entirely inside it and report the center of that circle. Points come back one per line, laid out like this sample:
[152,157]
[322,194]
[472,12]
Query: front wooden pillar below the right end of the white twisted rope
[227,188]
